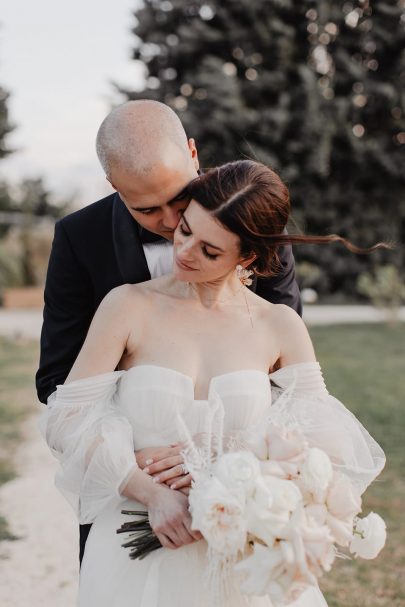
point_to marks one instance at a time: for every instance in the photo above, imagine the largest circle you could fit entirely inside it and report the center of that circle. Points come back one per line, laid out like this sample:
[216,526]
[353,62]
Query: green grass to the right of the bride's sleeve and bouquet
[364,366]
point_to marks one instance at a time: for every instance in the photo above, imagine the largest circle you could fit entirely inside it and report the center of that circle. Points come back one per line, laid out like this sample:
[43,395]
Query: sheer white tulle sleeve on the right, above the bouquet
[300,398]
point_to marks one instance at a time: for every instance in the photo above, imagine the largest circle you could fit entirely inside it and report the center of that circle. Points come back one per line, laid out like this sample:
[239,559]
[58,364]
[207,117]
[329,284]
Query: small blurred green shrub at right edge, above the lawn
[384,287]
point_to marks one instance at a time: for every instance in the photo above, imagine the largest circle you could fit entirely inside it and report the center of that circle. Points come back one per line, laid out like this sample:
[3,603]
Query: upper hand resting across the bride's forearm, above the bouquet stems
[165,464]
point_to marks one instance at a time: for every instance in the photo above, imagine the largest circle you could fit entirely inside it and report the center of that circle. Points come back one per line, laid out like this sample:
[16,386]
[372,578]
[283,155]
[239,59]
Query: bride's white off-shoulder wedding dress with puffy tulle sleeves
[94,425]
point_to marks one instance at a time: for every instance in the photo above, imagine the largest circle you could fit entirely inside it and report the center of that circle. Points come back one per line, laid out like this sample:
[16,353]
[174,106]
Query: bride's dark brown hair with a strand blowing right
[250,200]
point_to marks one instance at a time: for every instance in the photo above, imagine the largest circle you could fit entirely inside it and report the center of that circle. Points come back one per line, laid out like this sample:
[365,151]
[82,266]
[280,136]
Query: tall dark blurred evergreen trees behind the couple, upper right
[312,88]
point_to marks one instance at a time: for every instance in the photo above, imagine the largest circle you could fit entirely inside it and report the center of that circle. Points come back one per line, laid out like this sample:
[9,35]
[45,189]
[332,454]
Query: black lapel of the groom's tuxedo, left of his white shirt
[127,245]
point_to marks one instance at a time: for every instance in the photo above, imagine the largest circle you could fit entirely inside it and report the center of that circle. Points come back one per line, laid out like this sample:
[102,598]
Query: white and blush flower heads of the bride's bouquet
[273,511]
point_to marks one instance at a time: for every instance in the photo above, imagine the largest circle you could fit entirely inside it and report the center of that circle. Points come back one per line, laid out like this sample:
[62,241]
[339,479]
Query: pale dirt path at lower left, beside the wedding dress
[41,568]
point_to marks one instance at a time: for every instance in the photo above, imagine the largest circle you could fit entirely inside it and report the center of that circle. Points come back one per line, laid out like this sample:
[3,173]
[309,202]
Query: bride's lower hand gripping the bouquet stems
[170,519]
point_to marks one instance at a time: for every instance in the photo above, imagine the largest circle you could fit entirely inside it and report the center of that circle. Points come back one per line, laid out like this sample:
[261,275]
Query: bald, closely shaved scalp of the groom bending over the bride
[139,135]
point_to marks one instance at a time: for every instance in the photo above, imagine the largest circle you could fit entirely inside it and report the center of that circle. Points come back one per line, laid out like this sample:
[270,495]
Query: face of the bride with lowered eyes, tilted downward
[204,251]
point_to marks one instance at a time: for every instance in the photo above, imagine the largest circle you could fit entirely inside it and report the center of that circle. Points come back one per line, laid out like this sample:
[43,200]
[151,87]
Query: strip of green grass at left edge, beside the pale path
[18,359]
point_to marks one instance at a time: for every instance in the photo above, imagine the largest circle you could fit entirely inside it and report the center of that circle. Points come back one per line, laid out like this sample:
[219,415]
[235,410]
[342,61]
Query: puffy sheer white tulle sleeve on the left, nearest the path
[92,441]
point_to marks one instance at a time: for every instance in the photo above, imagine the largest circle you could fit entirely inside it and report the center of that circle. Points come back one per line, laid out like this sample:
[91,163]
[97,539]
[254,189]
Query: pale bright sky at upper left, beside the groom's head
[57,59]
